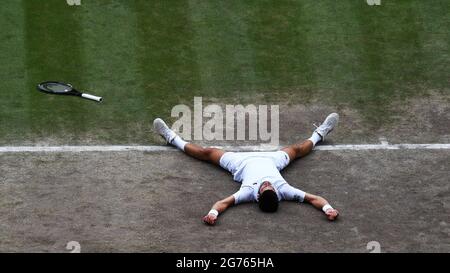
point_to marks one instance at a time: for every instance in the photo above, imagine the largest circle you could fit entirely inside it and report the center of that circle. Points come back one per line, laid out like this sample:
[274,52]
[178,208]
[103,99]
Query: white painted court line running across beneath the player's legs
[122,148]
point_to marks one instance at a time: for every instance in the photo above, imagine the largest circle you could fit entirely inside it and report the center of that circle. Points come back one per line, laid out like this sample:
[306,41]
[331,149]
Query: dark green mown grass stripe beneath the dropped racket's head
[53,47]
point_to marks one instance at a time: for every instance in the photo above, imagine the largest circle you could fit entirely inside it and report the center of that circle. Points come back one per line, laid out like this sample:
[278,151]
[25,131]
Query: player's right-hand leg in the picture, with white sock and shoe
[302,149]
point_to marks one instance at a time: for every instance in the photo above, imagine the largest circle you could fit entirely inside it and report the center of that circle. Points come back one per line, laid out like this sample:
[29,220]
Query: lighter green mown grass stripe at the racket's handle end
[111,70]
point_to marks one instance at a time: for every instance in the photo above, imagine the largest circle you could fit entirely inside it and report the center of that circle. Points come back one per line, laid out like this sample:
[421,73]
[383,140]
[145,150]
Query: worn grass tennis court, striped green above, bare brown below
[385,69]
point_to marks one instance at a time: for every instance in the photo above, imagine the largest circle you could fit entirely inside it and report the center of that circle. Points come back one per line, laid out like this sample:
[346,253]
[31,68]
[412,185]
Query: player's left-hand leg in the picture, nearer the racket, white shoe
[212,155]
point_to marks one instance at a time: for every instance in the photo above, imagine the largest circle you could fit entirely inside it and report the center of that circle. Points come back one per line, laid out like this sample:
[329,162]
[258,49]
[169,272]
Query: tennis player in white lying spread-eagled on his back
[259,172]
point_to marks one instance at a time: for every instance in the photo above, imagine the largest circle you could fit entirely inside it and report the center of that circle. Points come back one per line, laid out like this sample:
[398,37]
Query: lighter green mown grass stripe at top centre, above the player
[224,51]
